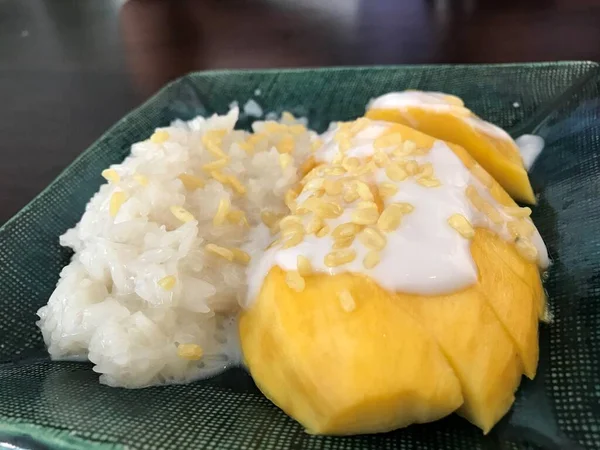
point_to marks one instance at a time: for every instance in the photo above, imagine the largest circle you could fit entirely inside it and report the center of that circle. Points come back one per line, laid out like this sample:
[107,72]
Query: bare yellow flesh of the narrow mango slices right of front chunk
[479,345]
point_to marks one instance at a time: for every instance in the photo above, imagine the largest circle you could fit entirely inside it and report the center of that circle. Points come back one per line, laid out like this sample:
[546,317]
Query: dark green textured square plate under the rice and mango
[46,404]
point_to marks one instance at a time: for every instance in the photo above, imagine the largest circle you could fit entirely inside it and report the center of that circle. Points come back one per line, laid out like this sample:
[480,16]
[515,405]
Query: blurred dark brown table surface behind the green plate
[71,68]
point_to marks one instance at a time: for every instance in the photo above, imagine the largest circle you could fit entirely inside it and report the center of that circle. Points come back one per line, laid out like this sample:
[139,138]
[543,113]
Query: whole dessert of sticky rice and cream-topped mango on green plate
[372,277]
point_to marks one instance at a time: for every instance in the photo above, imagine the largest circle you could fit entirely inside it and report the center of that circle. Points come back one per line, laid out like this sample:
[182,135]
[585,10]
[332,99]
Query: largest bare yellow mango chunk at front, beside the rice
[371,370]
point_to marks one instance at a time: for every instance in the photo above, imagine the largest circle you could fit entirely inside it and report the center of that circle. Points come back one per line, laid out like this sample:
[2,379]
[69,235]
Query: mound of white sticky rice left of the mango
[109,306]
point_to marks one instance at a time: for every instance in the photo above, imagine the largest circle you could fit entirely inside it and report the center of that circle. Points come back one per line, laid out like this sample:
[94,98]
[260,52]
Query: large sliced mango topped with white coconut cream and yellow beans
[403,285]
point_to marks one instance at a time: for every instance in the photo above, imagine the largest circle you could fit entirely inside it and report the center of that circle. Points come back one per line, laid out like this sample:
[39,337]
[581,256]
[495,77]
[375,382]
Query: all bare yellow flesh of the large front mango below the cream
[397,358]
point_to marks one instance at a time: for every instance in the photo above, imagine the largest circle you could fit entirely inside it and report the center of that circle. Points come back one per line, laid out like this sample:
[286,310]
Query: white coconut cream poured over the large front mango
[424,255]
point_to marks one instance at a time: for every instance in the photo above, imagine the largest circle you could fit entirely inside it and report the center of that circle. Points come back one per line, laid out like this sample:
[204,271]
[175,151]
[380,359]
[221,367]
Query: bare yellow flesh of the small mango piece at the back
[500,157]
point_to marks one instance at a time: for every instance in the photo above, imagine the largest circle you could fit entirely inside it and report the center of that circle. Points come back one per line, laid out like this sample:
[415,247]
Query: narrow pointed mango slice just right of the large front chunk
[478,348]
